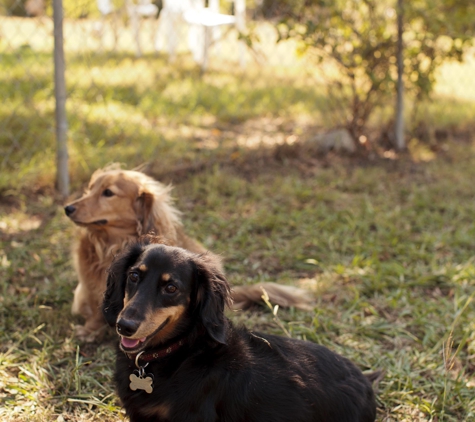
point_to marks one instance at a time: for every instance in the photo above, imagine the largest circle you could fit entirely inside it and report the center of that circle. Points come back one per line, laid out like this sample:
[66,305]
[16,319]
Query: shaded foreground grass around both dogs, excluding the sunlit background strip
[387,249]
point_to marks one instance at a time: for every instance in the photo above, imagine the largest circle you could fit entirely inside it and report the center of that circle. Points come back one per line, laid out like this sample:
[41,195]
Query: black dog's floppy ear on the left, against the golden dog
[116,280]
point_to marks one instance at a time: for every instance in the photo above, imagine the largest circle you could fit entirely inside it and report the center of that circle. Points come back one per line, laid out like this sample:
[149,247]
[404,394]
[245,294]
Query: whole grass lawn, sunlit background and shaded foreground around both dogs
[386,246]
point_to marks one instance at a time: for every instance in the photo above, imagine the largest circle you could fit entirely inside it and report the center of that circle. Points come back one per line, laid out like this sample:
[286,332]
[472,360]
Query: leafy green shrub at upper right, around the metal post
[355,42]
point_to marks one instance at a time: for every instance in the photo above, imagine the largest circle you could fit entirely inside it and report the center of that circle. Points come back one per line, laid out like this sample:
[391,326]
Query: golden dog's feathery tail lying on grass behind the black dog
[282,295]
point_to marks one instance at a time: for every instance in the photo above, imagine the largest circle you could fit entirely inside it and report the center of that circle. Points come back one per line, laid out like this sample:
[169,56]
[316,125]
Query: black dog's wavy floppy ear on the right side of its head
[212,295]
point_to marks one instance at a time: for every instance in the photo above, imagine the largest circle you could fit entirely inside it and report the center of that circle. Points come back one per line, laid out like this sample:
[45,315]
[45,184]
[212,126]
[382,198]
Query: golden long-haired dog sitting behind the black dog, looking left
[119,206]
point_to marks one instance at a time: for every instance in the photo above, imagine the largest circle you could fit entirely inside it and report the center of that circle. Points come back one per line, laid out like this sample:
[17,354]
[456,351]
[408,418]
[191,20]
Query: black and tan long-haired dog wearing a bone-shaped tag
[181,359]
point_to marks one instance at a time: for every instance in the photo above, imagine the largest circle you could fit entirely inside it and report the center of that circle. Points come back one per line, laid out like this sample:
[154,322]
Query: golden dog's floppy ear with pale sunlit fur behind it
[155,211]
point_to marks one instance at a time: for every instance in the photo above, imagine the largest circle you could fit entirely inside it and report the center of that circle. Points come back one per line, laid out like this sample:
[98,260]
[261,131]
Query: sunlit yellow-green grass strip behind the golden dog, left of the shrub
[143,104]
